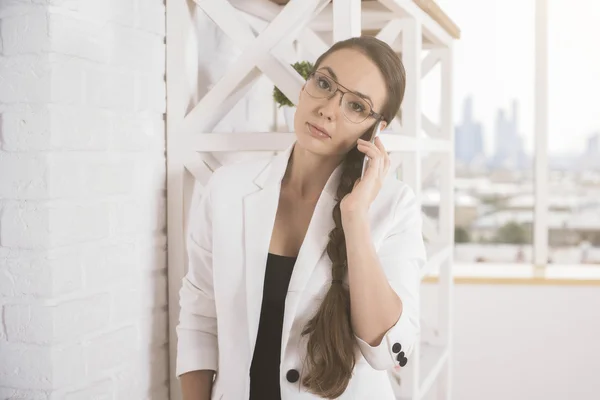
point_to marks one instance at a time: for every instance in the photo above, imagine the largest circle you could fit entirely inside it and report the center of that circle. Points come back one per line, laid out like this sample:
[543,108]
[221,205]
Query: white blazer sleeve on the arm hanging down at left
[197,329]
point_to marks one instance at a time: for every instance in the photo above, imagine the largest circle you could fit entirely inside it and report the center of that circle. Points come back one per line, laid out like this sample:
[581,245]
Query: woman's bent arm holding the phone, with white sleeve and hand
[384,283]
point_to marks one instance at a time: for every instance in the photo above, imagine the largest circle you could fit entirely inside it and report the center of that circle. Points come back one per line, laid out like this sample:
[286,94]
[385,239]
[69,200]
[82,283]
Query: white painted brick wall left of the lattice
[82,200]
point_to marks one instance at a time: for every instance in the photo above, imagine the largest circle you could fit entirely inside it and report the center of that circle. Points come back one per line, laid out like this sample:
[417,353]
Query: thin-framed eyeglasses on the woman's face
[355,108]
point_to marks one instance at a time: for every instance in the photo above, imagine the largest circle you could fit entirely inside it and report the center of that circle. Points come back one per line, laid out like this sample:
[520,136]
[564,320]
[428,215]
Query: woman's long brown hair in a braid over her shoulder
[331,347]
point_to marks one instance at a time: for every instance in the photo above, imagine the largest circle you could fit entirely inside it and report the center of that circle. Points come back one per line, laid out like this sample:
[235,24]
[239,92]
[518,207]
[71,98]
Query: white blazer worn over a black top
[230,230]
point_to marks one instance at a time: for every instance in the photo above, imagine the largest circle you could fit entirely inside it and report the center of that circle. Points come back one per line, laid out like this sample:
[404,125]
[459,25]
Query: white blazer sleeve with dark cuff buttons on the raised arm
[402,255]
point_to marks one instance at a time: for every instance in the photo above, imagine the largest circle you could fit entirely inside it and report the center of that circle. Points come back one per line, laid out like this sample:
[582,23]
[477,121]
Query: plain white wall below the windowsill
[523,342]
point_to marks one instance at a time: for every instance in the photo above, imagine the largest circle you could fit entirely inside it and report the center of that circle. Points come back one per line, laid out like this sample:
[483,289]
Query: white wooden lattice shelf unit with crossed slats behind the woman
[418,147]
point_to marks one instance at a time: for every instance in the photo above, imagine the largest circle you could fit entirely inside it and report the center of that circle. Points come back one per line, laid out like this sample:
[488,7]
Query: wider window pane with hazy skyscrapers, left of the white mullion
[494,131]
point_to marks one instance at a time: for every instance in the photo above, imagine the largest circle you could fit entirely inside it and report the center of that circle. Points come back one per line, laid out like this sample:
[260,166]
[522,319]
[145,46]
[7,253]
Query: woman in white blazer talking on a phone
[281,300]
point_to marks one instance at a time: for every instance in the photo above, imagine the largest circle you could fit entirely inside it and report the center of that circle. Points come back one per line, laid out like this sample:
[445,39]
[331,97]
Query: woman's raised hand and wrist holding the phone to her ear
[365,190]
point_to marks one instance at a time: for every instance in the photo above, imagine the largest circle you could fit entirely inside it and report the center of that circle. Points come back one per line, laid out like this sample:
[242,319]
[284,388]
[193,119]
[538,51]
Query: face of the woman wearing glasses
[354,72]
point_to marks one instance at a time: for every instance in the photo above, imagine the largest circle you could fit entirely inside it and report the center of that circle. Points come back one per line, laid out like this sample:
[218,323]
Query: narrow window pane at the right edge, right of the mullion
[573,132]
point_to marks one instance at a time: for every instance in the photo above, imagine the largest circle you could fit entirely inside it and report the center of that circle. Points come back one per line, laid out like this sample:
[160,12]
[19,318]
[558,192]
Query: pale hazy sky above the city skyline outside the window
[494,63]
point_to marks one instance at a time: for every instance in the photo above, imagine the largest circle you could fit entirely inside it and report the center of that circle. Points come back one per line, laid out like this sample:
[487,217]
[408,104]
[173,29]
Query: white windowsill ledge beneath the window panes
[523,274]
